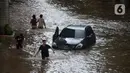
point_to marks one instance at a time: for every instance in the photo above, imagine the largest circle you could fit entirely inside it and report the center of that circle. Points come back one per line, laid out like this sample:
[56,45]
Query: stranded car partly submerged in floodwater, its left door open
[73,37]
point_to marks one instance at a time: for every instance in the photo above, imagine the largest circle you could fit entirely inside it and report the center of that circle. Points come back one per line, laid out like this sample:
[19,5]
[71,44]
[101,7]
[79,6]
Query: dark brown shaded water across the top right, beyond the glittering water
[100,8]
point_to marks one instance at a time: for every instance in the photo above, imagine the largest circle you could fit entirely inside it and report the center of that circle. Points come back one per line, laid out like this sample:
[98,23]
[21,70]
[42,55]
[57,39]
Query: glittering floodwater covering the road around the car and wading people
[110,54]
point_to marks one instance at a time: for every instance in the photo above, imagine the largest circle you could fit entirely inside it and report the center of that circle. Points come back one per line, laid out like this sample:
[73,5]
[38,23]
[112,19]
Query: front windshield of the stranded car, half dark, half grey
[72,33]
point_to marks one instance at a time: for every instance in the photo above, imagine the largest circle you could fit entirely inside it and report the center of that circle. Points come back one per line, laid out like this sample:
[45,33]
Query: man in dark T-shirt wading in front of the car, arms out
[44,49]
